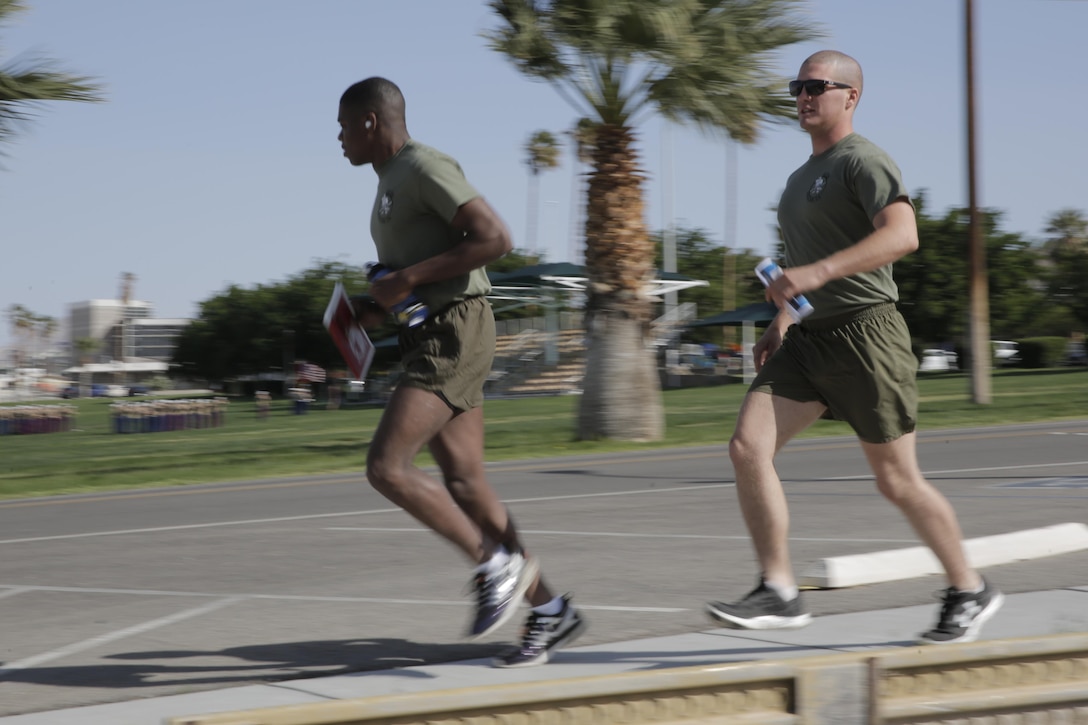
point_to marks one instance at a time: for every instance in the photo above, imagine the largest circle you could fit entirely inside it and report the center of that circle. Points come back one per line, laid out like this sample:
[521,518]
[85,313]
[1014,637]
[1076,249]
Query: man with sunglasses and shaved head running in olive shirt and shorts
[846,218]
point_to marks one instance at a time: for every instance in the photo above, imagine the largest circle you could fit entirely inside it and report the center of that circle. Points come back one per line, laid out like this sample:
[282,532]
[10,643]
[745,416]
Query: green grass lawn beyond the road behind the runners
[93,458]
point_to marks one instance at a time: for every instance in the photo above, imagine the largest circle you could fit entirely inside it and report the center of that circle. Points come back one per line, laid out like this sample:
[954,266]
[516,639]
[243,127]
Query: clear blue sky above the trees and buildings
[216,162]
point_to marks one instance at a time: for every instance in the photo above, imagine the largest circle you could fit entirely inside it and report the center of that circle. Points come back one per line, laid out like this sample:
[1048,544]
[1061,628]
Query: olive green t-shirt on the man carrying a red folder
[419,192]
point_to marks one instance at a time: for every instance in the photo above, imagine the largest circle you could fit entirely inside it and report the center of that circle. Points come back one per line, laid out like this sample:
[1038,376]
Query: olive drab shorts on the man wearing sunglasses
[861,366]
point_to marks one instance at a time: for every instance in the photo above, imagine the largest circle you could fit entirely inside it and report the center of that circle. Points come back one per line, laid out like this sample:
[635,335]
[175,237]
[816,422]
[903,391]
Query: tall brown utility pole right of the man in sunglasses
[980,310]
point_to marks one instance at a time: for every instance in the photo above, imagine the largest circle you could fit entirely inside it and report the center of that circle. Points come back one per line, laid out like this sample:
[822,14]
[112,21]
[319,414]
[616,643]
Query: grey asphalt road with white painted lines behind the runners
[142,594]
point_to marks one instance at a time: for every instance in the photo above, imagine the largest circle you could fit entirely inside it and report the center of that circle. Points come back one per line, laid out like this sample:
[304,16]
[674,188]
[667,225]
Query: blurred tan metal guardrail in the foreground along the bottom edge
[957,683]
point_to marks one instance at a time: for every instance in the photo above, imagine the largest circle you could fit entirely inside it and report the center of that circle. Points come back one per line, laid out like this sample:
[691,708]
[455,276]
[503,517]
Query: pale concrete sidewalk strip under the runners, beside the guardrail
[1031,615]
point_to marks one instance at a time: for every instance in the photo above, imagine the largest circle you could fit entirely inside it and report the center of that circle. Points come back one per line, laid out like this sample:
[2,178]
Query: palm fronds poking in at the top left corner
[26,83]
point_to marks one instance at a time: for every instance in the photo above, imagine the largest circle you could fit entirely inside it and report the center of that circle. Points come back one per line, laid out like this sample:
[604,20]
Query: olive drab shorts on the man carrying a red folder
[451,353]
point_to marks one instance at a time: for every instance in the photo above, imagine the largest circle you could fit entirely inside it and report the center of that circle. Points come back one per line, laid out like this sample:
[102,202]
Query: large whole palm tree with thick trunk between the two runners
[707,63]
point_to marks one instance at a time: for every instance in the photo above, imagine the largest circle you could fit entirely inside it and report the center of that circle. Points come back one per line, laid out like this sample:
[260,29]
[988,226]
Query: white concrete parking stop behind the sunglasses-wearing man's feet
[897,564]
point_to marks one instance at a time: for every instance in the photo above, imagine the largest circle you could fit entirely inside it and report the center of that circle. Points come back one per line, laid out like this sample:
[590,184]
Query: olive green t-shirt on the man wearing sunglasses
[829,205]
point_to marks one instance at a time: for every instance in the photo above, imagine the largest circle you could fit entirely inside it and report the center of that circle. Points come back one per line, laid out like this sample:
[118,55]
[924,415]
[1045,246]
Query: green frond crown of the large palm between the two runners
[708,63]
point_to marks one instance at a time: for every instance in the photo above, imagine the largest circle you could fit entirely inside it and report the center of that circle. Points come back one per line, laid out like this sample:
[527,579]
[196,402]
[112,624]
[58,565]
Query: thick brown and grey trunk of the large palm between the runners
[622,390]
